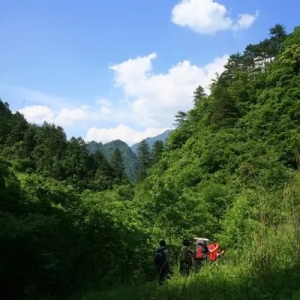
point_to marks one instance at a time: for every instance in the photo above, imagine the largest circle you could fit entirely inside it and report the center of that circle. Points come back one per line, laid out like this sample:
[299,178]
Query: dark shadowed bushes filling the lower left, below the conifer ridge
[65,241]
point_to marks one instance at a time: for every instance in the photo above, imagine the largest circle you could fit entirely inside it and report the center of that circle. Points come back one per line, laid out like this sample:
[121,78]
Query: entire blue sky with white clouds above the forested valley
[122,68]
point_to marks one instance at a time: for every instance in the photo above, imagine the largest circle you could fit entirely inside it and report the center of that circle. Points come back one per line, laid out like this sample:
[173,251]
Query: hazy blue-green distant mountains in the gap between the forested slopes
[129,154]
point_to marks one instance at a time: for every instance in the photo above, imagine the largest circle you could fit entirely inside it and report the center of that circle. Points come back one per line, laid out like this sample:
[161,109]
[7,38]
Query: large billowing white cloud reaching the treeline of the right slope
[156,98]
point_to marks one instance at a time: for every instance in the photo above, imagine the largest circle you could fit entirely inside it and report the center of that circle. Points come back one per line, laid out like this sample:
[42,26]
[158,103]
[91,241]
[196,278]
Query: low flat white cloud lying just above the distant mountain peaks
[122,132]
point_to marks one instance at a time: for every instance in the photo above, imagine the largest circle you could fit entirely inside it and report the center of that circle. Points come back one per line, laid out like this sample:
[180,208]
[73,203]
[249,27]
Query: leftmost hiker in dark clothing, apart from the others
[161,261]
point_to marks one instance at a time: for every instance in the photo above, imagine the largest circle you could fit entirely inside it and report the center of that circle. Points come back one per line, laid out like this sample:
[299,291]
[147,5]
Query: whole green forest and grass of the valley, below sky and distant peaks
[74,225]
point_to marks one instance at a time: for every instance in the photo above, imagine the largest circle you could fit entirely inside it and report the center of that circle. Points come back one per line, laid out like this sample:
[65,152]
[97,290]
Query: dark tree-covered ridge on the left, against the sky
[46,151]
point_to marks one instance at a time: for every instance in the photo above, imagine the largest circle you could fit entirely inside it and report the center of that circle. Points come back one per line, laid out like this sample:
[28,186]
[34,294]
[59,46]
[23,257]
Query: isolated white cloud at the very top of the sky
[208,17]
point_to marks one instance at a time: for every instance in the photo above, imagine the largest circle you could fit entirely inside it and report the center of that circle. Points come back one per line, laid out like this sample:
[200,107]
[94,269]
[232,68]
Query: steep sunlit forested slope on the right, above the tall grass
[236,150]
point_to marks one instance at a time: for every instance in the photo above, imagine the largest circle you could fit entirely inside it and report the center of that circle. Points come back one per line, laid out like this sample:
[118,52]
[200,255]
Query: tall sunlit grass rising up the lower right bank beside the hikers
[268,267]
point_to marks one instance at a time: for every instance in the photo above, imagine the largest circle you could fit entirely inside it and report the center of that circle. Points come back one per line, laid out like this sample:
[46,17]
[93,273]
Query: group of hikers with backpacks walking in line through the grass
[190,259]
